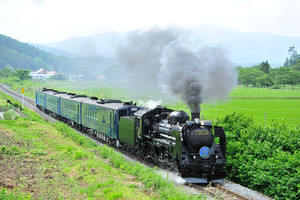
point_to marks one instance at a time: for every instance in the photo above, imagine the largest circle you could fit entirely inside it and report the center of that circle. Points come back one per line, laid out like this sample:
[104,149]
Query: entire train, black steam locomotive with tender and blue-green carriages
[160,135]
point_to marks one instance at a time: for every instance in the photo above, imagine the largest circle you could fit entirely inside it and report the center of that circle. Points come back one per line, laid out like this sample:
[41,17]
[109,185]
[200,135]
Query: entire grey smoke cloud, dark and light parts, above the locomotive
[166,59]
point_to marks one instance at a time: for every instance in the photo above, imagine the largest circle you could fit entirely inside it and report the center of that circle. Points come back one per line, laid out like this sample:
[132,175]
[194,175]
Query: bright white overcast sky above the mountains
[44,21]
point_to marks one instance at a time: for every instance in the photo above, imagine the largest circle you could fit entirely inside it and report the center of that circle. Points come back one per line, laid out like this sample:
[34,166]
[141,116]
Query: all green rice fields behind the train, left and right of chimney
[264,104]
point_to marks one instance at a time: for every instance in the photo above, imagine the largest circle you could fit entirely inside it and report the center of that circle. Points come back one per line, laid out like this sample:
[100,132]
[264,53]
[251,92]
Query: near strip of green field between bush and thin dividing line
[262,110]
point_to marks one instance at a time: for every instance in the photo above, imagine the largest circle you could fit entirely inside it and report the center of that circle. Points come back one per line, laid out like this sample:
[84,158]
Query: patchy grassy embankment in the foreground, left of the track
[40,160]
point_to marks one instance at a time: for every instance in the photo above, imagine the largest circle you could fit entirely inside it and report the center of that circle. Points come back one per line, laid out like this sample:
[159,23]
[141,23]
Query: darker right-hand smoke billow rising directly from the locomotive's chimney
[196,76]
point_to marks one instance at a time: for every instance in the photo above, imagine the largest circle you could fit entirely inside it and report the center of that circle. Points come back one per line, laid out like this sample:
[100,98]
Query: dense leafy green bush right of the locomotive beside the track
[263,158]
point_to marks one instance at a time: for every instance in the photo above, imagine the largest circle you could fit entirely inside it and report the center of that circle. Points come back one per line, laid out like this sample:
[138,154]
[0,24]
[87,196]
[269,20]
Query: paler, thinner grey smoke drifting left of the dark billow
[140,53]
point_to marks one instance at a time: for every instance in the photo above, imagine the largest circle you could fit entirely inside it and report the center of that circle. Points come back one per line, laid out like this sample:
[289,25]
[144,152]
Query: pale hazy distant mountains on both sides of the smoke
[244,48]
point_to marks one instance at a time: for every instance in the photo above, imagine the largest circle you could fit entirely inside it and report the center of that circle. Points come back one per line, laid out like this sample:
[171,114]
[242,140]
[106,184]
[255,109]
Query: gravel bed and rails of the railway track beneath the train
[213,191]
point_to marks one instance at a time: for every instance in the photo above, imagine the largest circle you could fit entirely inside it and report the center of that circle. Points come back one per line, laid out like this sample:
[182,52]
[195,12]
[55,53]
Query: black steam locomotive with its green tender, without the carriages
[169,139]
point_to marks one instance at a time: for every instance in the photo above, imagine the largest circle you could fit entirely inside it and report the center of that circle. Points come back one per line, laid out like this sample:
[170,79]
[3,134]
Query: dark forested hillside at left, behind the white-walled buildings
[24,56]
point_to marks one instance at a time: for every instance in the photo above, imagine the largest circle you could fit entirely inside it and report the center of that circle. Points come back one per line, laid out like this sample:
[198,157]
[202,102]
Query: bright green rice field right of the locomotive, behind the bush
[265,105]
